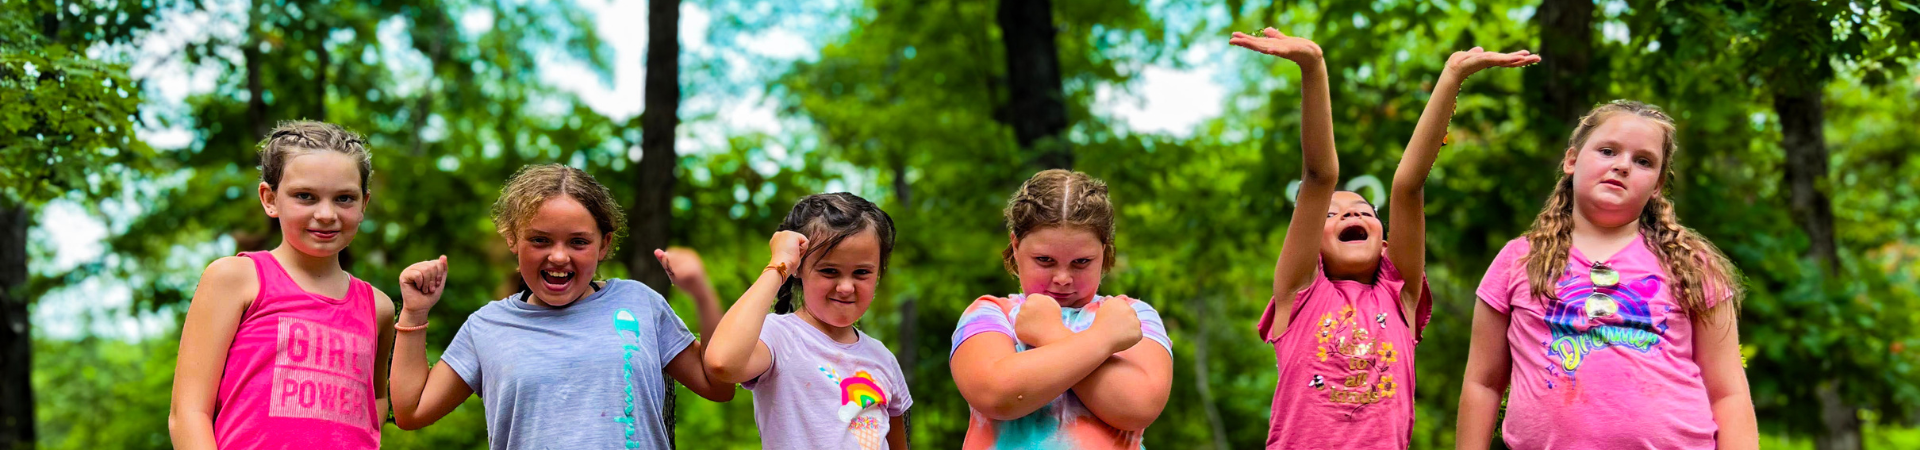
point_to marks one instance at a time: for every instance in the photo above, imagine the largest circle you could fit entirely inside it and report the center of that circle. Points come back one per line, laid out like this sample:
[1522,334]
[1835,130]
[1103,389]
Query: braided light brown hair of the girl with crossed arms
[1061,199]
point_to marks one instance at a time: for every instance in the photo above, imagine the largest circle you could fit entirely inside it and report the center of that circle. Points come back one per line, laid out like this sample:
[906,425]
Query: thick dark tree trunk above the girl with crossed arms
[1038,107]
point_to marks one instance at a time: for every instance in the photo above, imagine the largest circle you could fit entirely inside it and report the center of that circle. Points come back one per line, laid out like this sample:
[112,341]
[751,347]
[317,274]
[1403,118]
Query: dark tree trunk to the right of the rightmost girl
[1802,118]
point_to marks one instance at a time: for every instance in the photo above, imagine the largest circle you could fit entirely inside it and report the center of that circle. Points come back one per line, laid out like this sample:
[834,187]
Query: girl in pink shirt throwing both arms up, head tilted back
[1345,316]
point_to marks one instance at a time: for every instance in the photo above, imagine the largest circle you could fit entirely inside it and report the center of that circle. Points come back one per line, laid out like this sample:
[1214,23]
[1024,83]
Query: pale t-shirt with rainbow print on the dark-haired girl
[825,395]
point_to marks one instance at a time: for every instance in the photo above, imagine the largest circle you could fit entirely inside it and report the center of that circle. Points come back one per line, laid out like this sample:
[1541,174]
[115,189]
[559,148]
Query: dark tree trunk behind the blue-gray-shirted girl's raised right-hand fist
[658,159]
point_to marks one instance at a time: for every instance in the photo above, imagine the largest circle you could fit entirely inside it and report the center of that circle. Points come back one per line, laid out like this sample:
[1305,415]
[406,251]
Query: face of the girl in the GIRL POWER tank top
[320,203]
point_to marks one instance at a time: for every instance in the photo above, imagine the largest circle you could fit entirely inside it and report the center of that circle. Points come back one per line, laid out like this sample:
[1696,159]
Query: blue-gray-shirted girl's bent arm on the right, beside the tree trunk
[686,270]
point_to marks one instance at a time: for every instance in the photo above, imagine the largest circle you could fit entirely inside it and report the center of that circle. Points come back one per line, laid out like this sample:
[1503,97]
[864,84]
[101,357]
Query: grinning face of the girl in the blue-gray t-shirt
[558,251]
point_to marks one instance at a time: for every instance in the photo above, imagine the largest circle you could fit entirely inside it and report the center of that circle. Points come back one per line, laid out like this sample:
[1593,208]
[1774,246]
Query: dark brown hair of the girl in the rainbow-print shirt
[827,220]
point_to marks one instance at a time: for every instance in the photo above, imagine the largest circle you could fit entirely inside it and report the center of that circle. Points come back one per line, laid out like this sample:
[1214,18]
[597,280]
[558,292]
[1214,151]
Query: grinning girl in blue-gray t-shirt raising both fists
[569,362]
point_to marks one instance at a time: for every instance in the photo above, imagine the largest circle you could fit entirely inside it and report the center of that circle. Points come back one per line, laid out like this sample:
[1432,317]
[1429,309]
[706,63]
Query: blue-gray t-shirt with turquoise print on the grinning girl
[585,376]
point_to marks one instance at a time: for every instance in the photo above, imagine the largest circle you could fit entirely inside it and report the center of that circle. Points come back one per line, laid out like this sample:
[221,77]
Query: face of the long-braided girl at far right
[1618,170]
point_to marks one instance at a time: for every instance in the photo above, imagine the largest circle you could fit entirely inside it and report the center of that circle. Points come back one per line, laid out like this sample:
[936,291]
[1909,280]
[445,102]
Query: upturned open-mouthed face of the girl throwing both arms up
[1353,237]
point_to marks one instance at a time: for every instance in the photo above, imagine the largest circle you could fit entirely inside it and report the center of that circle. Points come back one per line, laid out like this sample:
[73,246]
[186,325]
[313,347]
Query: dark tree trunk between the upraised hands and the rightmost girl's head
[1564,84]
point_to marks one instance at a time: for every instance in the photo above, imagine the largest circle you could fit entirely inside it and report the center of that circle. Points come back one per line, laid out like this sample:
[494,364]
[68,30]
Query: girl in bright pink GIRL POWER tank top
[285,349]
